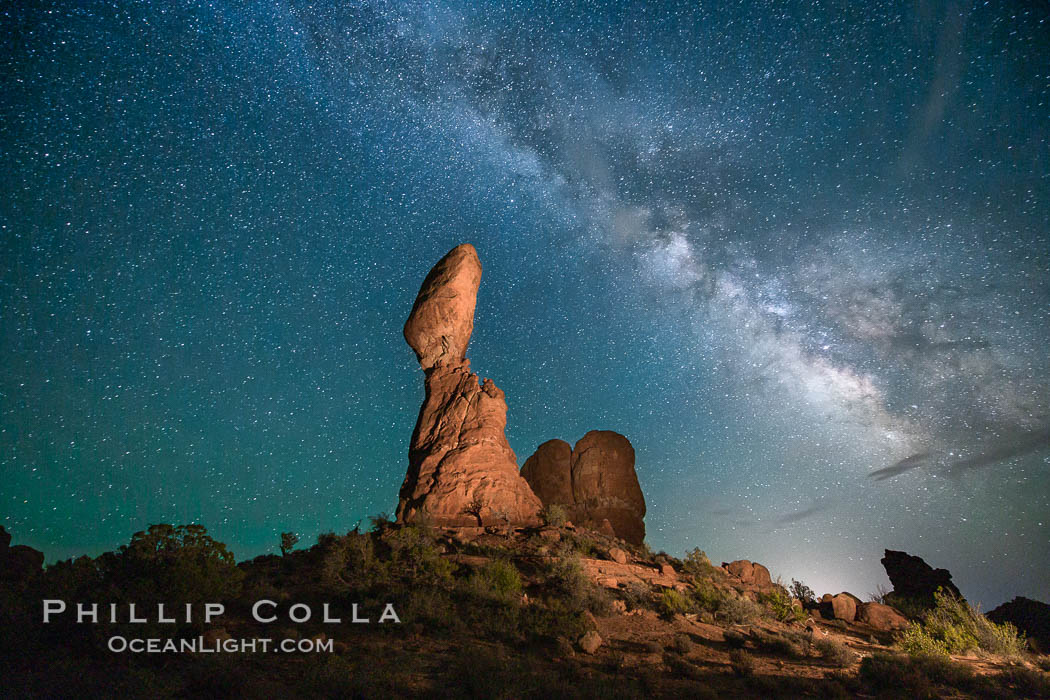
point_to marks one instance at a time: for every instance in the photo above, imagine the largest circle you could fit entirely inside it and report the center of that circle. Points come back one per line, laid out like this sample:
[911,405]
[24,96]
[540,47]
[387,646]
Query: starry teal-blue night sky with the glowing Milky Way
[800,257]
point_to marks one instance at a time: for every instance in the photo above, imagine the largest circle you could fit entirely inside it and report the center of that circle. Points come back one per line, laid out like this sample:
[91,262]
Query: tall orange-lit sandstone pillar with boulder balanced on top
[461,469]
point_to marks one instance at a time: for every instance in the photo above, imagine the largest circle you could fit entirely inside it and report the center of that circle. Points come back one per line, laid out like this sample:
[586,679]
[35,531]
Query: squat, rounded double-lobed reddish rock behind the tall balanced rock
[595,481]
